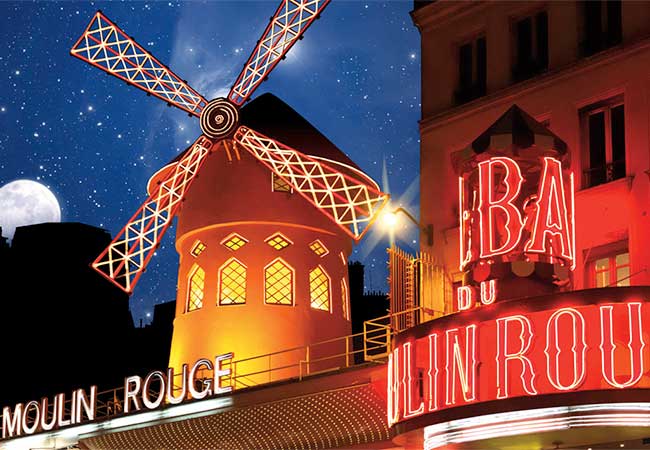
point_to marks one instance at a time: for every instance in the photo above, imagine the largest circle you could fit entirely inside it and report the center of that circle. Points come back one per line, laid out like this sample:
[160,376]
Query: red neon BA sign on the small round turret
[507,216]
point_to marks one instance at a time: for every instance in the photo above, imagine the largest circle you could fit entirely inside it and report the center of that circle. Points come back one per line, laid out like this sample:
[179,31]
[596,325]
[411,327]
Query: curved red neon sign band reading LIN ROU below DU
[504,352]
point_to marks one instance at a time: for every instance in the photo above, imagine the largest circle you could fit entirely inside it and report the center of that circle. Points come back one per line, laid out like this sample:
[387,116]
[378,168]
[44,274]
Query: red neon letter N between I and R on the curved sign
[464,371]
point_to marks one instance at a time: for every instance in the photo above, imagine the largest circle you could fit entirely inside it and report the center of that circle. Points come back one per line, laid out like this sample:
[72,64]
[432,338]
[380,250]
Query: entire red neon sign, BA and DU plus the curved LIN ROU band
[593,340]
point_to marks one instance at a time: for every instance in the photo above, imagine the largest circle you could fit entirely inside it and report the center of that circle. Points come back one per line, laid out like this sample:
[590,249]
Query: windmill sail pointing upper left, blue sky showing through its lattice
[107,47]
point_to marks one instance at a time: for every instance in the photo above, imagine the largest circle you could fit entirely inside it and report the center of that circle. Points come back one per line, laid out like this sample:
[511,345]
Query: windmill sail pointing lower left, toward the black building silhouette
[125,259]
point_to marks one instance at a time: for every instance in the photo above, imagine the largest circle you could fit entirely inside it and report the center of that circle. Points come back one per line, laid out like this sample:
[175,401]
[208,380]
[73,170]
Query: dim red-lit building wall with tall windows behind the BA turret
[580,68]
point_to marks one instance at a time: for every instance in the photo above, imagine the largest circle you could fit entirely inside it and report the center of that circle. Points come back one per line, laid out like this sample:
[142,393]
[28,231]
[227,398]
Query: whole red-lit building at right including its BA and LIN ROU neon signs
[533,206]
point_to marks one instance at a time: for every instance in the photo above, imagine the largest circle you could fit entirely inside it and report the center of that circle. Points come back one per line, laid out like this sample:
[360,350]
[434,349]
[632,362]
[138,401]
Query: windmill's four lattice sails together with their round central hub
[351,202]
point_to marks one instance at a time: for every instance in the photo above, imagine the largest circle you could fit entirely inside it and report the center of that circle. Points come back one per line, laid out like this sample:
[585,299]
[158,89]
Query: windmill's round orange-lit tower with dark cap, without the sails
[261,270]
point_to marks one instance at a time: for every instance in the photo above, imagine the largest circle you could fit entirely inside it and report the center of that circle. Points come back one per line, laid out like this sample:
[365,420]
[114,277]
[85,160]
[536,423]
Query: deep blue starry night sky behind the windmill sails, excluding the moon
[94,141]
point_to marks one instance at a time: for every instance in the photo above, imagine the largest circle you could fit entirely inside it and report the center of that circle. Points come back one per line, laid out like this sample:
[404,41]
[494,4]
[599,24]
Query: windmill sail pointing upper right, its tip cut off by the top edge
[287,25]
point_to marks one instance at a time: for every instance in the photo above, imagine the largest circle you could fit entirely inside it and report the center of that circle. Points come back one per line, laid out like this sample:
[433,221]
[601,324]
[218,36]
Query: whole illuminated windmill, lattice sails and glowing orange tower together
[227,213]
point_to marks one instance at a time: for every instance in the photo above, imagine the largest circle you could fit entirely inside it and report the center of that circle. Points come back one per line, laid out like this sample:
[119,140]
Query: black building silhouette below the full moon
[64,326]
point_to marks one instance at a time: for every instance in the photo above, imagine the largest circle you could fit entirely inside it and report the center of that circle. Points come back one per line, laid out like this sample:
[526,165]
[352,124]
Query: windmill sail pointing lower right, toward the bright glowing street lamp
[350,203]
